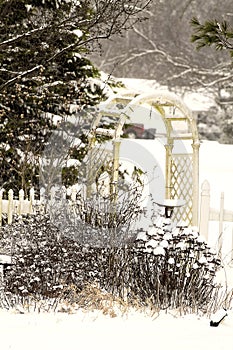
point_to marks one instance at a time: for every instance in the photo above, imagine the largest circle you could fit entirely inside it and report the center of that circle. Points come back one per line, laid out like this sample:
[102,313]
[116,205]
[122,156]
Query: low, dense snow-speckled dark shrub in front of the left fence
[44,261]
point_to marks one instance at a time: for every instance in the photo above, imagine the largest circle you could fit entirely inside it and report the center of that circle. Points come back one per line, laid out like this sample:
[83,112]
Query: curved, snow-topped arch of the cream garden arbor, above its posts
[122,106]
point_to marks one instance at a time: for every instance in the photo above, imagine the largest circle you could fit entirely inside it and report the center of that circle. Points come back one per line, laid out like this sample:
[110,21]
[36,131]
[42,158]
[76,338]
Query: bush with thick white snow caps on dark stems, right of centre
[182,264]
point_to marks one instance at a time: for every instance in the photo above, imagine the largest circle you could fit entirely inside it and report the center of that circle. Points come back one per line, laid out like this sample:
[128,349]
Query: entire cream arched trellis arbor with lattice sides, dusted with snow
[182,163]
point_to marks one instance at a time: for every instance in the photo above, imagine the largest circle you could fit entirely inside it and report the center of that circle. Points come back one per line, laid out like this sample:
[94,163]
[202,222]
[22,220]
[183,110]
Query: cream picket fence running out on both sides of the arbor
[22,205]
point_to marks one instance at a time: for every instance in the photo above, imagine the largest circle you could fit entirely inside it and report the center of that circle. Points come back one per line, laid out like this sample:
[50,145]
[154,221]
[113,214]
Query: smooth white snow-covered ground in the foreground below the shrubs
[95,331]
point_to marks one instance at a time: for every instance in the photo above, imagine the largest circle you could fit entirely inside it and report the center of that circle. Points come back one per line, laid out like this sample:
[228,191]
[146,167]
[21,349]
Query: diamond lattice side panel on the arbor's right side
[182,185]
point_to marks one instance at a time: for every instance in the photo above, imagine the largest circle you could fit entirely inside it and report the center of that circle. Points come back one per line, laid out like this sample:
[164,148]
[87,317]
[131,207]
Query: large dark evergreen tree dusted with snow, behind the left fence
[44,73]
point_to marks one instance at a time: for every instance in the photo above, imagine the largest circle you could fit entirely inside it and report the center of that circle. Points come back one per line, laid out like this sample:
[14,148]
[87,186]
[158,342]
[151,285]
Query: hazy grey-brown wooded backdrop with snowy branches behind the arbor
[161,49]
